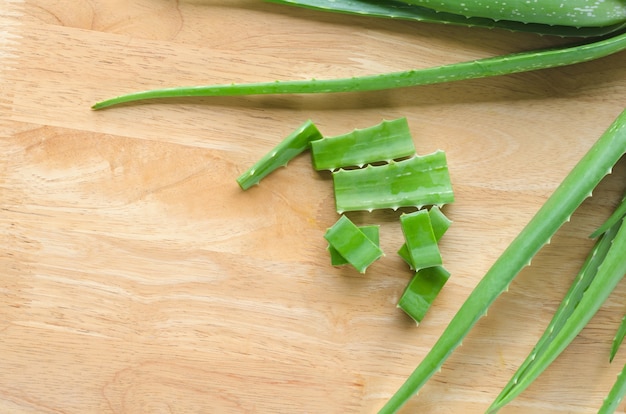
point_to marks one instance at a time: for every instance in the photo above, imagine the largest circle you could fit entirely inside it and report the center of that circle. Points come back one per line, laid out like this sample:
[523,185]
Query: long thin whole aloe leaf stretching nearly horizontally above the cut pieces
[481,68]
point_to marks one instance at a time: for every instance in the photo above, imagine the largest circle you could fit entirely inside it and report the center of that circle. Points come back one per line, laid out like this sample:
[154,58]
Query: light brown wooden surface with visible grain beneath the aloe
[136,277]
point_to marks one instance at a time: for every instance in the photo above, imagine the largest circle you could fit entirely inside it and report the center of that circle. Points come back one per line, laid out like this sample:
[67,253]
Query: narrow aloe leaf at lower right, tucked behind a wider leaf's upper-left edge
[571,299]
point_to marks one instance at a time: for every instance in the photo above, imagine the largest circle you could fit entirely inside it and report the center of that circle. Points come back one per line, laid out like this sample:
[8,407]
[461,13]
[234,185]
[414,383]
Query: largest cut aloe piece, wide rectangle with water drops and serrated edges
[415,182]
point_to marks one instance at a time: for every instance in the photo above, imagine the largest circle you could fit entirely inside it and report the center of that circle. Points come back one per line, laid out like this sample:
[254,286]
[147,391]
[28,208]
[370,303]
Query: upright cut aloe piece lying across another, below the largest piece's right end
[420,240]
